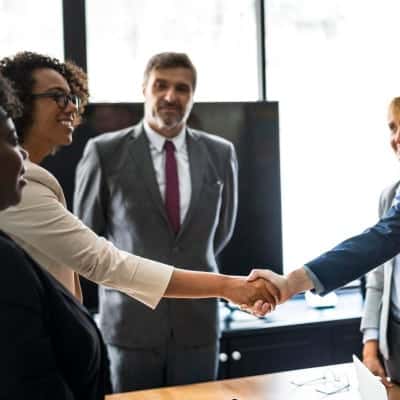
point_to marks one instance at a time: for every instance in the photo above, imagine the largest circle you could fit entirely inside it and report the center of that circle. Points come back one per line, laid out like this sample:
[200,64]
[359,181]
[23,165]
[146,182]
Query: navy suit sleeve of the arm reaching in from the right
[359,254]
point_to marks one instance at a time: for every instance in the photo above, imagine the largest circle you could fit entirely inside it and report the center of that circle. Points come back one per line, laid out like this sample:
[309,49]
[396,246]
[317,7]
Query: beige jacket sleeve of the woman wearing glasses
[51,234]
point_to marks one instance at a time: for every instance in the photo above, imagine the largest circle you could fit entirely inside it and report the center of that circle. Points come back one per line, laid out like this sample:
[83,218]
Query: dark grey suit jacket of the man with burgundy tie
[117,195]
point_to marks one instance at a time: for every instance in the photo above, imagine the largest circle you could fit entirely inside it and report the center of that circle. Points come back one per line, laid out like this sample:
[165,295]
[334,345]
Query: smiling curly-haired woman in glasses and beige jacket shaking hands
[54,95]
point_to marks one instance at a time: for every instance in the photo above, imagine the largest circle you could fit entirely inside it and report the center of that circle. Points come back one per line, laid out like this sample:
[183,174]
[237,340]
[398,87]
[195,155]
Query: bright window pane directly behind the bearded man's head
[218,35]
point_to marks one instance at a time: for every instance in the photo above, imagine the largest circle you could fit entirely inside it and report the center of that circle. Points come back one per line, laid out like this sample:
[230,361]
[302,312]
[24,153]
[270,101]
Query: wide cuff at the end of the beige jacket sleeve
[150,281]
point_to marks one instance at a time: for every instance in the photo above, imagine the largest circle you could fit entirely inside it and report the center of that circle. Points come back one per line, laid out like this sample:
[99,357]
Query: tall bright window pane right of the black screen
[334,70]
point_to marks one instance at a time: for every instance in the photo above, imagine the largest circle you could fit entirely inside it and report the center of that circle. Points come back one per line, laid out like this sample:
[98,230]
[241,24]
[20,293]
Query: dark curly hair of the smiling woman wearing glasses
[19,69]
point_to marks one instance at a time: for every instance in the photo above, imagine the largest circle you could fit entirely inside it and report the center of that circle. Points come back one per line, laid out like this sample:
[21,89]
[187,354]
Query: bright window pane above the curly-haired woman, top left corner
[31,26]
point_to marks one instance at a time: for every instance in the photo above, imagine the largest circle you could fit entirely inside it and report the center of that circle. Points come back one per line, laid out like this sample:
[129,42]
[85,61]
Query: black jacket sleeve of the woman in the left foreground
[27,365]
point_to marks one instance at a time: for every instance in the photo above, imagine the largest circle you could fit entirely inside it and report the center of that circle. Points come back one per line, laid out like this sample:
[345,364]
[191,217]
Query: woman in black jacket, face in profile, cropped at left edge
[50,347]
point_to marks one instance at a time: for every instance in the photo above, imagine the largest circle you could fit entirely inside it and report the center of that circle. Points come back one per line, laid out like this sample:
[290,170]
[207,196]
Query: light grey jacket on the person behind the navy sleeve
[379,283]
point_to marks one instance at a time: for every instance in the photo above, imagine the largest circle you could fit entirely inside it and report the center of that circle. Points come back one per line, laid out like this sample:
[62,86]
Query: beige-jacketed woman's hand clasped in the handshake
[249,294]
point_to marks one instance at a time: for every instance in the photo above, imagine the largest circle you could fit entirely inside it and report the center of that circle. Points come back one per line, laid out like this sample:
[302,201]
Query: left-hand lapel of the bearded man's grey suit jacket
[139,151]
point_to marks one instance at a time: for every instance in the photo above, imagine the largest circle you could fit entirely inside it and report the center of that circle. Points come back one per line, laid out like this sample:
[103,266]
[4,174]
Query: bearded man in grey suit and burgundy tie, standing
[164,191]
